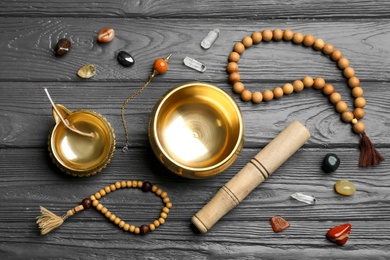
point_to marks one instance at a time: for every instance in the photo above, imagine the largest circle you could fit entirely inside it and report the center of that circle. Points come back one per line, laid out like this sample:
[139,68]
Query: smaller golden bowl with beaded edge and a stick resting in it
[76,154]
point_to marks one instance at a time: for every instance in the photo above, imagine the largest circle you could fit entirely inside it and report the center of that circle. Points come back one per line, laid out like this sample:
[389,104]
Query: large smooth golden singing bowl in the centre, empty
[196,130]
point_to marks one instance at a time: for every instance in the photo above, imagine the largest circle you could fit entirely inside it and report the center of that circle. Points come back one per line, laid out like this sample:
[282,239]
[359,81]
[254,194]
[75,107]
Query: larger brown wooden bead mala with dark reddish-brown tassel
[369,155]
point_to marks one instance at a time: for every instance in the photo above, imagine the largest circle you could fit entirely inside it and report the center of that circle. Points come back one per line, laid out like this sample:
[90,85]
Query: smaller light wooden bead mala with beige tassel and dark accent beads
[49,221]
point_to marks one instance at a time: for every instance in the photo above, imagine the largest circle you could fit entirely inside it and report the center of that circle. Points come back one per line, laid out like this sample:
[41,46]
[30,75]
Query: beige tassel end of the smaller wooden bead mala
[49,221]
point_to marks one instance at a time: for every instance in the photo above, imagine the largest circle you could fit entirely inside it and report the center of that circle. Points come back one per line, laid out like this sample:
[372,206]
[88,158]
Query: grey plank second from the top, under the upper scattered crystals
[27,52]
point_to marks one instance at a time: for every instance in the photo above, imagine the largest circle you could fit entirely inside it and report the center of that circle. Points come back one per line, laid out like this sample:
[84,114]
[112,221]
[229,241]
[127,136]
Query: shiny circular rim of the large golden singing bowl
[238,143]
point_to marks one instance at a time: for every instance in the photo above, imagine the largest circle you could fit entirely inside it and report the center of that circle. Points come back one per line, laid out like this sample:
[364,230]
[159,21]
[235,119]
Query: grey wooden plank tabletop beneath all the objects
[152,29]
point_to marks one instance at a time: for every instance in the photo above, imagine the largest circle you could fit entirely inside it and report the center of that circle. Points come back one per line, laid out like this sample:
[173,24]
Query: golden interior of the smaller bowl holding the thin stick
[80,153]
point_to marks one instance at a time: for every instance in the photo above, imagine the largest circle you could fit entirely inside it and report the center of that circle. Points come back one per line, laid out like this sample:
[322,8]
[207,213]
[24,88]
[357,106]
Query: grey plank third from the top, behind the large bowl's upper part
[26,112]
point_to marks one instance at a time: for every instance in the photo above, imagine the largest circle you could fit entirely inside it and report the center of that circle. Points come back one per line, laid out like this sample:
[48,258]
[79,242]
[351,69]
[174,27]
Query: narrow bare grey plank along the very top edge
[289,9]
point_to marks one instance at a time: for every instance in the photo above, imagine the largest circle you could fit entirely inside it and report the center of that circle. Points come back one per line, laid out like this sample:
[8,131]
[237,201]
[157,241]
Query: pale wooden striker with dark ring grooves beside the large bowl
[255,172]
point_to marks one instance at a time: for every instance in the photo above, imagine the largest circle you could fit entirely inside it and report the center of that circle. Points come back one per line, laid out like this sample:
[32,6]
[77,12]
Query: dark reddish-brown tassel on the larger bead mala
[369,156]
